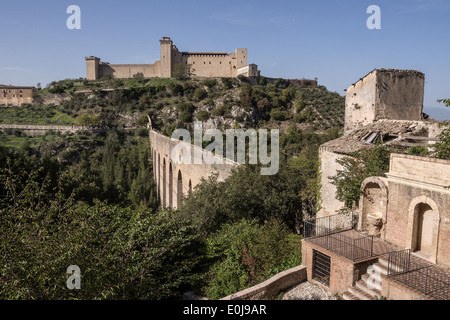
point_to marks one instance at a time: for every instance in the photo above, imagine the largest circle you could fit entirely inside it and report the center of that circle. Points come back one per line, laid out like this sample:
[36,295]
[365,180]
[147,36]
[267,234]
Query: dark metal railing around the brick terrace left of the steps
[327,233]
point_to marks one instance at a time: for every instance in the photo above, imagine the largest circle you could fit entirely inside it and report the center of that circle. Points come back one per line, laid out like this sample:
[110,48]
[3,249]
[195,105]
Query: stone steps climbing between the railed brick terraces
[361,290]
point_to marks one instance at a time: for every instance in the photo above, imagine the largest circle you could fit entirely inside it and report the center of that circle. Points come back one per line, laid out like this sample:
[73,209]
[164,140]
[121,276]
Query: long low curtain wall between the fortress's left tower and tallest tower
[128,70]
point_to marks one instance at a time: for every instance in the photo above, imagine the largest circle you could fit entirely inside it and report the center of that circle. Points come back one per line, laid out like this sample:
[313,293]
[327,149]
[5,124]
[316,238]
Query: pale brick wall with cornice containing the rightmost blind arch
[418,216]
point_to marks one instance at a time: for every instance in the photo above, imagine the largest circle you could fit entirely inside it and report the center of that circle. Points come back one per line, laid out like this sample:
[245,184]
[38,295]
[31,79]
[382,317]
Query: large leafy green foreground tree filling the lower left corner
[122,253]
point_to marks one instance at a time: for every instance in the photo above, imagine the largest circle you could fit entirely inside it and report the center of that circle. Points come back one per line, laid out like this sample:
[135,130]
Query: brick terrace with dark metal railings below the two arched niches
[337,234]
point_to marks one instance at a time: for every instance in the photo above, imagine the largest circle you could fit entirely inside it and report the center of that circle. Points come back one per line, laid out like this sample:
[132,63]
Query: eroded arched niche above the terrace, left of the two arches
[373,206]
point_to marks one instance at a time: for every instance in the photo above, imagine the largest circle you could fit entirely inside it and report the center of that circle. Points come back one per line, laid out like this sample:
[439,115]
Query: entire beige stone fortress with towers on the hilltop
[172,62]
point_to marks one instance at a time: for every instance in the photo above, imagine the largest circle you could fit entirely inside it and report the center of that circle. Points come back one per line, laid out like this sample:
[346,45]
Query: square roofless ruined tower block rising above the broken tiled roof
[384,94]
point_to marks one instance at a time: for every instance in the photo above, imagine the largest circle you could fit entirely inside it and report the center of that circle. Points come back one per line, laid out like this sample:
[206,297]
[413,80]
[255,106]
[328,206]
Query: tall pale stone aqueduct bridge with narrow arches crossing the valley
[174,176]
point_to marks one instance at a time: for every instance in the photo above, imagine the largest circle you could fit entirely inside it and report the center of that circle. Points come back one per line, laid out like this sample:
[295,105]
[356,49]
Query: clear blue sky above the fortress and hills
[327,39]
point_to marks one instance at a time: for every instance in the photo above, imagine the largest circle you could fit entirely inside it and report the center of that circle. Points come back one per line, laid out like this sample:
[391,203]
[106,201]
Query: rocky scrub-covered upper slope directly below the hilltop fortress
[222,103]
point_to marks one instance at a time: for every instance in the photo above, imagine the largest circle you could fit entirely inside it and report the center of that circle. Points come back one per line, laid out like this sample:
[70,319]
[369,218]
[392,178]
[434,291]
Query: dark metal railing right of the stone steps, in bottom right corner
[418,276]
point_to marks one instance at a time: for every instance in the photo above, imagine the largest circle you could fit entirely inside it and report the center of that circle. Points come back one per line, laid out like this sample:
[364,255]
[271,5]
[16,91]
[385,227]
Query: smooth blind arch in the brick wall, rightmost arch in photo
[423,227]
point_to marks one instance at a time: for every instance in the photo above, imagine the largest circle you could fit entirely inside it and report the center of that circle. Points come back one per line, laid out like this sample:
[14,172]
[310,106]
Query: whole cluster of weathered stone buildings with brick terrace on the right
[399,248]
